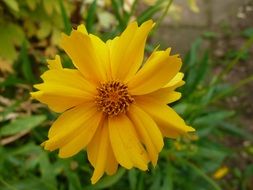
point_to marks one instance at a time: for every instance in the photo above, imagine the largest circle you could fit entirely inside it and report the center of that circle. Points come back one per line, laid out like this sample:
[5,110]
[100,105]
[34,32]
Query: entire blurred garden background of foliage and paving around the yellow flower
[215,41]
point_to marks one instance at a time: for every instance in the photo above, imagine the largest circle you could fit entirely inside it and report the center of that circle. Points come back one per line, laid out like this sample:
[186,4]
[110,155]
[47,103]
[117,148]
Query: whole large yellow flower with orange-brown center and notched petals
[113,106]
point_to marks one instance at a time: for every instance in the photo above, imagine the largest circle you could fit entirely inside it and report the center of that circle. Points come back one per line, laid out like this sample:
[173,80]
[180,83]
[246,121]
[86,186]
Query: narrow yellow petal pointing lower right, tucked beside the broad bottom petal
[148,131]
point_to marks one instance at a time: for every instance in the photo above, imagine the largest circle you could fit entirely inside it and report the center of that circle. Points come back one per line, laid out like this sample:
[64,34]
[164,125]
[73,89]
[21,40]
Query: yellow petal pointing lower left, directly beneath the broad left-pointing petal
[69,125]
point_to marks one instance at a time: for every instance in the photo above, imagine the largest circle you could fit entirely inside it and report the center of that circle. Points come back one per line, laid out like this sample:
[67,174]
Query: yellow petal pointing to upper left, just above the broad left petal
[81,50]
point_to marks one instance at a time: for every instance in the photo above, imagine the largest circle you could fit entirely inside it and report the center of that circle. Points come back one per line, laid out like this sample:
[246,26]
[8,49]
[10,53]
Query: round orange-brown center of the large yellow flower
[113,98]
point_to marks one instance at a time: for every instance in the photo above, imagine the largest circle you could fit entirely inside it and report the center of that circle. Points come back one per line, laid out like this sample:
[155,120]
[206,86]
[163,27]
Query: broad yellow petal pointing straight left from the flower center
[63,89]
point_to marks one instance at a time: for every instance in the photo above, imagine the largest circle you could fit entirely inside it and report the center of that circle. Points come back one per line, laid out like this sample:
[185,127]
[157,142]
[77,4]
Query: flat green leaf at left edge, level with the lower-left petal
[22,124]
